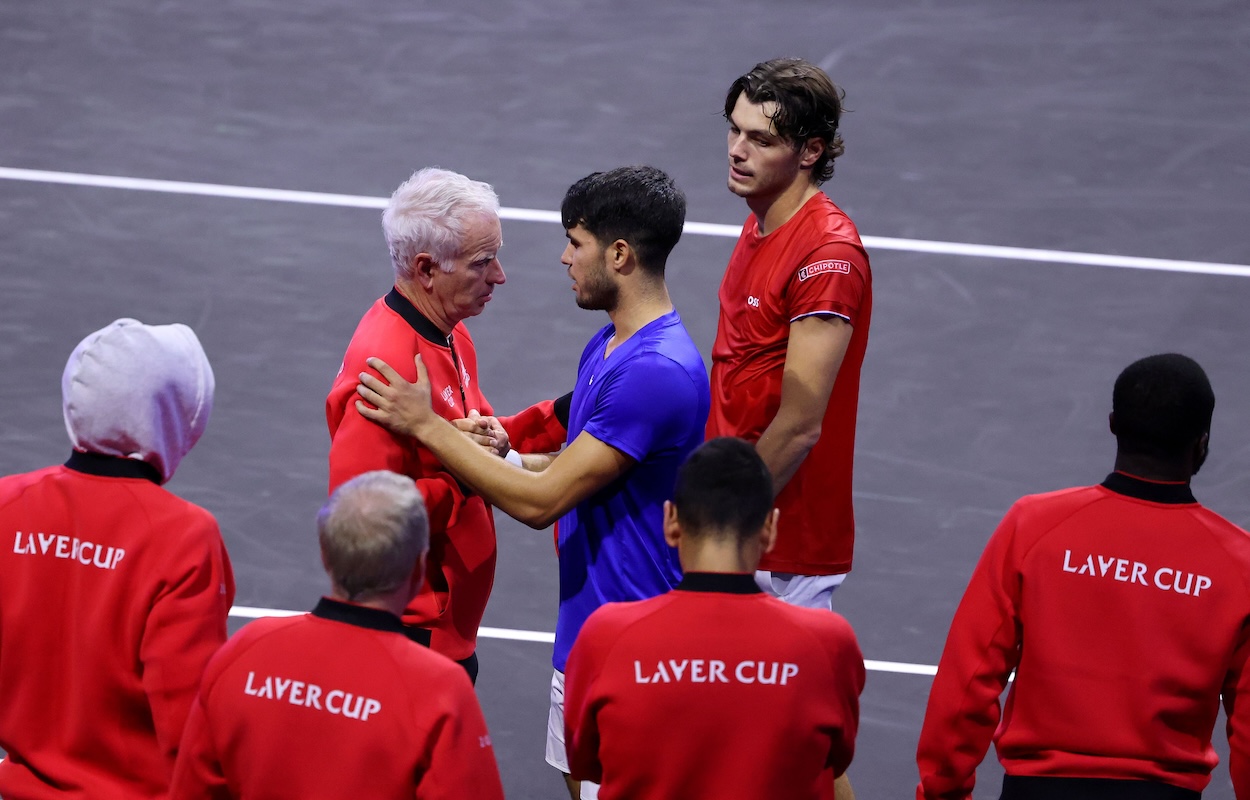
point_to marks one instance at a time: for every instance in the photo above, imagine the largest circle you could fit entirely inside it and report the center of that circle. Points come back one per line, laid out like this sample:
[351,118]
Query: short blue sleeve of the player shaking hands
[648,404]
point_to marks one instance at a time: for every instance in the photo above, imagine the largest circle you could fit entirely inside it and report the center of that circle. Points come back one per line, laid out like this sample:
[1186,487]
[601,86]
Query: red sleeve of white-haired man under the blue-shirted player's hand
[359,446]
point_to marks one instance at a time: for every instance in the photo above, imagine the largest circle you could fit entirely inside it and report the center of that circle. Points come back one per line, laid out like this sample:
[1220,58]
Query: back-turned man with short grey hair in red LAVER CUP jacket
[341,703]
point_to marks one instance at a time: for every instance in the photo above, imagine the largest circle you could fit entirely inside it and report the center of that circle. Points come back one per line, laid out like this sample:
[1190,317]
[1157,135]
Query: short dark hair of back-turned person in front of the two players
[724,489]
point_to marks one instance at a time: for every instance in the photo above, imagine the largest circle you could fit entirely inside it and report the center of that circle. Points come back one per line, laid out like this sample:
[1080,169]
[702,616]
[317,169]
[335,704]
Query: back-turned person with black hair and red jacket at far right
[1124,611]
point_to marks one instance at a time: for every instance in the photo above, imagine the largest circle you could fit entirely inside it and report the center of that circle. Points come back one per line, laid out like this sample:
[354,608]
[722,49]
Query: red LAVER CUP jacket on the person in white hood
[114,596]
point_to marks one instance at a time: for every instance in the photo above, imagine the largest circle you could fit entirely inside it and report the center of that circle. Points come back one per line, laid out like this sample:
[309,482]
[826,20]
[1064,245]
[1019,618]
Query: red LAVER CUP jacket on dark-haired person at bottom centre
[713,691]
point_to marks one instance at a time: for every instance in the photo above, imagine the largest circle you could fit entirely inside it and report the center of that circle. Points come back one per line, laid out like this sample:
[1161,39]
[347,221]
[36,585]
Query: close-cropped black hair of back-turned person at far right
[1163,404]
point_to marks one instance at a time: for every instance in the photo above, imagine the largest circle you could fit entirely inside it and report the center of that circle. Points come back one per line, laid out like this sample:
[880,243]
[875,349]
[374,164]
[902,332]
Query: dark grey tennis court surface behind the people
[1086,164]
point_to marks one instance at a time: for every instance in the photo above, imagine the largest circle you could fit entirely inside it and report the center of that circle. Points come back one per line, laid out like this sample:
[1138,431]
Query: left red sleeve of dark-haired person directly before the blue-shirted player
[581,704]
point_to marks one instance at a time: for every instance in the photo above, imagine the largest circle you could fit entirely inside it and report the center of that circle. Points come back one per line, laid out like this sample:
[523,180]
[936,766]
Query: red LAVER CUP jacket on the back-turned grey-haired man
[334,704]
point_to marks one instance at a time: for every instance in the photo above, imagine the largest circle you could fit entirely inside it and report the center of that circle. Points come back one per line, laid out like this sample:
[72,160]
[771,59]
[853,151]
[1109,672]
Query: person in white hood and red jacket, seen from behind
[114,592]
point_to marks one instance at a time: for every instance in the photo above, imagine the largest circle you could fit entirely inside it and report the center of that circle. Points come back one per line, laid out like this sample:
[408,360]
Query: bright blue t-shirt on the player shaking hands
[649,399]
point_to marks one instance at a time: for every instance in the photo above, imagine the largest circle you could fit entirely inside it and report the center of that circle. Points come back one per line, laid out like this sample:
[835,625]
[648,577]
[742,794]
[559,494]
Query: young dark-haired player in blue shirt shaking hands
[638,411]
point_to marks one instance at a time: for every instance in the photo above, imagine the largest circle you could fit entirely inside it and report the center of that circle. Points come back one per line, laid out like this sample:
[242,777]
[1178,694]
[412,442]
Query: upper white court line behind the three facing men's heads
[703,229]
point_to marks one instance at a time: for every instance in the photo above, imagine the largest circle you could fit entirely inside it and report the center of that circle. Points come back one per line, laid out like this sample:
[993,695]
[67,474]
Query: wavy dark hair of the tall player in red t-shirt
[809,106]
